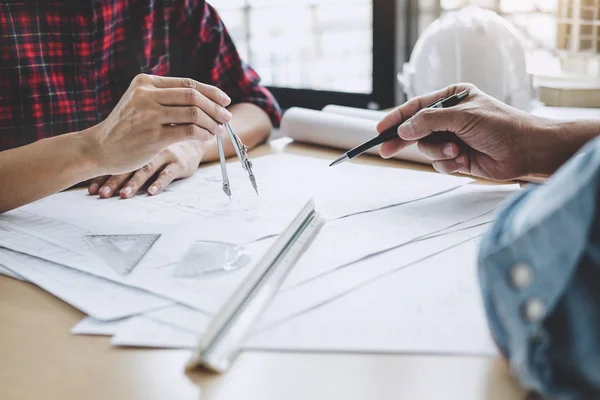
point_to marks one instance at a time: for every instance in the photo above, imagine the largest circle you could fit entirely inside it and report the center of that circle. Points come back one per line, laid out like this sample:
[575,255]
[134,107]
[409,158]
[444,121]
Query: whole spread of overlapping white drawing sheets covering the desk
[381,221]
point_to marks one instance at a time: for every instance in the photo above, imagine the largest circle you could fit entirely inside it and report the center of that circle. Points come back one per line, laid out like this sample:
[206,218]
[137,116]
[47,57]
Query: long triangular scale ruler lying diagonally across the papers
[224,337]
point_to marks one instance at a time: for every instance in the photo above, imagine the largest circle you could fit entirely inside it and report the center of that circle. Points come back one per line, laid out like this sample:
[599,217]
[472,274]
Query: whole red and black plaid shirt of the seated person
[64,64]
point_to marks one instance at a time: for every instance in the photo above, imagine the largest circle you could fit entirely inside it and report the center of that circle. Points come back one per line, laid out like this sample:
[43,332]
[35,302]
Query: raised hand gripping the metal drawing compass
[154,113]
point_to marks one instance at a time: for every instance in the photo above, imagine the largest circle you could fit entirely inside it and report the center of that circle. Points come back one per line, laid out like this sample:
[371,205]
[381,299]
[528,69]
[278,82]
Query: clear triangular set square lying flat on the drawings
[121,252]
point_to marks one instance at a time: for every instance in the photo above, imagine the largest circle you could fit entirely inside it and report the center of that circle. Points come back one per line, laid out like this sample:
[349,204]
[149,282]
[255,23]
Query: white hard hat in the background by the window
[475,46]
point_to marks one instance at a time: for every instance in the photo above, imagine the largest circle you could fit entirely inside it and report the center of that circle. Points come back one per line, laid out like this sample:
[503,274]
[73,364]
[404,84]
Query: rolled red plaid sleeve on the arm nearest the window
[213,58]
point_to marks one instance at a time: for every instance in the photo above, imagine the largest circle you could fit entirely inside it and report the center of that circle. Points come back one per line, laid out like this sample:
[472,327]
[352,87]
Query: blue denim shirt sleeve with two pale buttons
[539,270]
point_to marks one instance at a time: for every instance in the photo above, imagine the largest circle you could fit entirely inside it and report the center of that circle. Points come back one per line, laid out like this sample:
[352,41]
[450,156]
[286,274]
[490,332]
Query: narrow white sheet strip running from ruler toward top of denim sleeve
[349,239]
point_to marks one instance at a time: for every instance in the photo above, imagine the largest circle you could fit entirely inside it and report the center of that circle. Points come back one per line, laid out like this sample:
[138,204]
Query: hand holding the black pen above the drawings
[480,136]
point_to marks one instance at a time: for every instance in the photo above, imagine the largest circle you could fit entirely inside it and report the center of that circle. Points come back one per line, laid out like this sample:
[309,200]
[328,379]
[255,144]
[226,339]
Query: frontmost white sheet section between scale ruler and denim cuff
[433,307]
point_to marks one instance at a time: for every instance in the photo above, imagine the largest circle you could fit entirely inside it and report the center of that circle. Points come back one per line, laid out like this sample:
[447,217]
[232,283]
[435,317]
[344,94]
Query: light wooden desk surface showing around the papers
[40,359]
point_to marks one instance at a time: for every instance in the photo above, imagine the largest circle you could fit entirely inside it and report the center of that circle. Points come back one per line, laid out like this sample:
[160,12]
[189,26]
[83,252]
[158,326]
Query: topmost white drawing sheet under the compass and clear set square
[52,228]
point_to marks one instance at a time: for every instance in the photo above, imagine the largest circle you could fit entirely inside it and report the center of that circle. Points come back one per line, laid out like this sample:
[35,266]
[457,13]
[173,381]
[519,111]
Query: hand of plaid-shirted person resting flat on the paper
[178,161]
